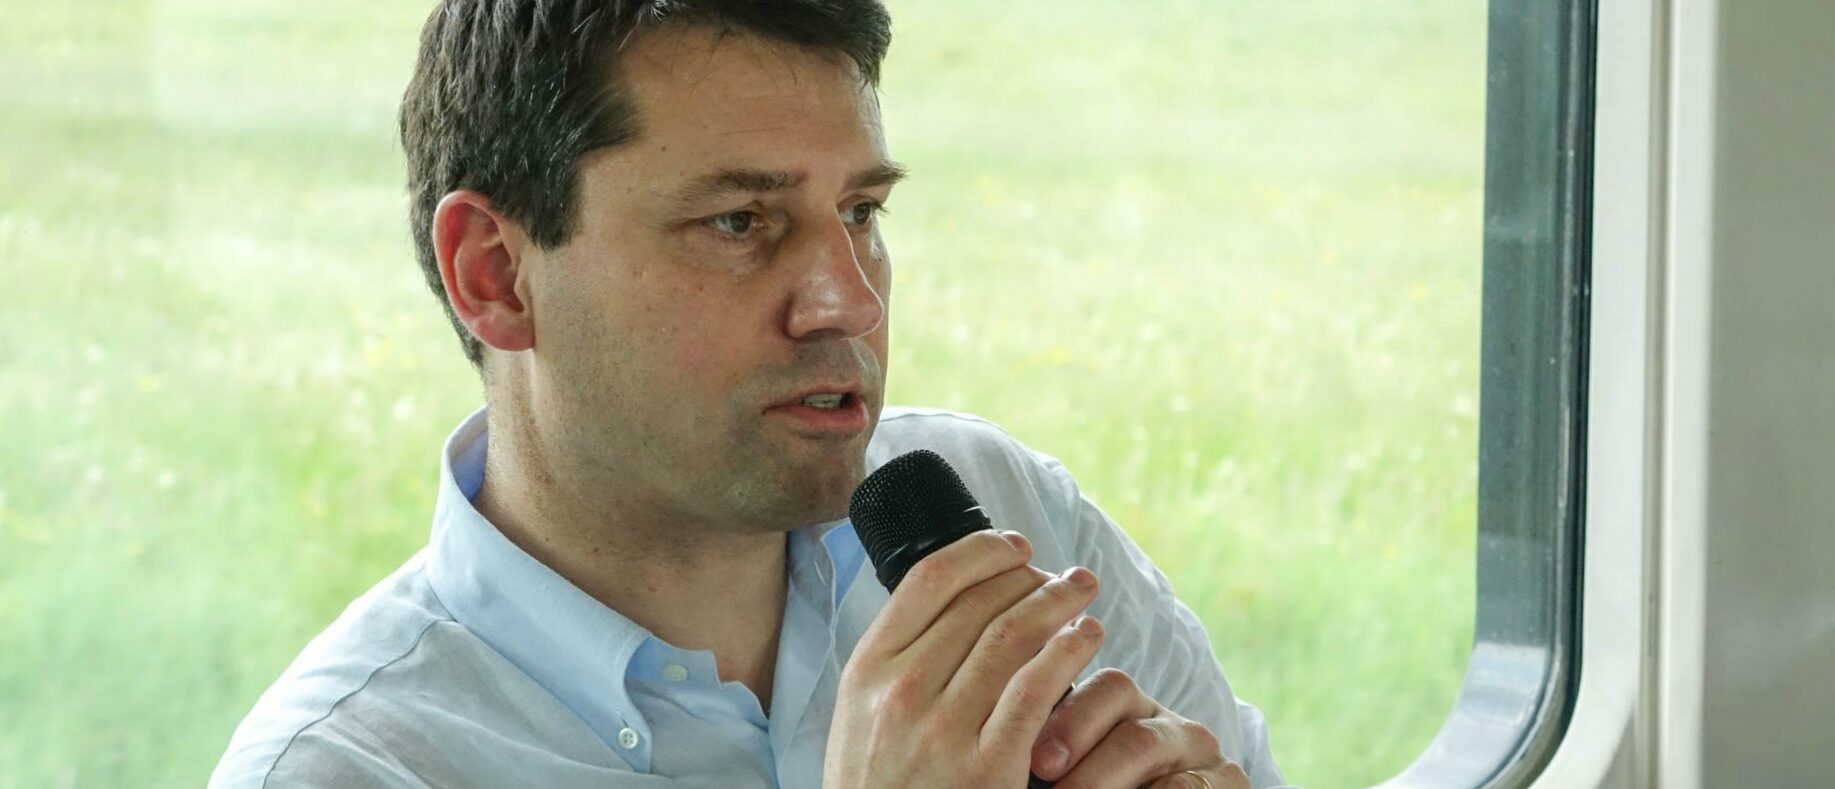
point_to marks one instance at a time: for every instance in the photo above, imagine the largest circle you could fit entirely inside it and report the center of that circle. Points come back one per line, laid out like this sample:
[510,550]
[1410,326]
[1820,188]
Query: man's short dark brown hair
[509,94]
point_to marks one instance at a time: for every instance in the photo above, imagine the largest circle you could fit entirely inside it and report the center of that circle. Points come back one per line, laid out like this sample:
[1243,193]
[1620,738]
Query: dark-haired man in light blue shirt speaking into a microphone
[654,228]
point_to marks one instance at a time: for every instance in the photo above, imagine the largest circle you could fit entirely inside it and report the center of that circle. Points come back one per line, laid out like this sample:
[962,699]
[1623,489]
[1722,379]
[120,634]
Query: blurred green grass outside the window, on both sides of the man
[1221,258]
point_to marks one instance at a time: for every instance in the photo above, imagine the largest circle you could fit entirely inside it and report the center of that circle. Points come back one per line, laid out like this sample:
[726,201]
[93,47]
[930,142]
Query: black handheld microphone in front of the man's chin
[909,509]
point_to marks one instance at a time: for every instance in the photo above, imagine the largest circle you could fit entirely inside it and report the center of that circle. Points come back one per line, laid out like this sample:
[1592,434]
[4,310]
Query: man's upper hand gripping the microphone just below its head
[953,682]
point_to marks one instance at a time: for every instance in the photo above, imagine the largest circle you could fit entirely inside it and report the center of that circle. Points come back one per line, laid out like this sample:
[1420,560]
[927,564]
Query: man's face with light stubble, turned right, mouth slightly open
[728,263]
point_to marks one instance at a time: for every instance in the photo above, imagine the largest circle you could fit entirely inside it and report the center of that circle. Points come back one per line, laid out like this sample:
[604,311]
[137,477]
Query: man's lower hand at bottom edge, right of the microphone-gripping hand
[1111,735]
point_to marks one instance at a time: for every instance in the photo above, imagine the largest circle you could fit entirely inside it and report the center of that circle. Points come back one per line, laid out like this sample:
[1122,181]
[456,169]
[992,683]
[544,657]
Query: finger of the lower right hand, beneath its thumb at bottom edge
[1144,750]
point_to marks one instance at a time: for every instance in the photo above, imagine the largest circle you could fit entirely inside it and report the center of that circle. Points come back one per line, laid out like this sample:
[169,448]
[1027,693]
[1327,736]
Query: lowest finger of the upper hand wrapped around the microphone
[1025,704]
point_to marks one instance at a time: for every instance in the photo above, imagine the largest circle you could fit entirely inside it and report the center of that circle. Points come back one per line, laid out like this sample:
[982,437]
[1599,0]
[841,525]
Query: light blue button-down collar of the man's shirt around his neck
[551,630]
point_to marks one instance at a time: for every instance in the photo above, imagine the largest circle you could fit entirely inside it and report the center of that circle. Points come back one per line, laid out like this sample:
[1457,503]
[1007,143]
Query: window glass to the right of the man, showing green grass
[1225,261]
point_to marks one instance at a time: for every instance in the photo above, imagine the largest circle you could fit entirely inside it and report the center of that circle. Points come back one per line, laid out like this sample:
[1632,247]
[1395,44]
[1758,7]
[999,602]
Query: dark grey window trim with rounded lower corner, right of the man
[1539,161]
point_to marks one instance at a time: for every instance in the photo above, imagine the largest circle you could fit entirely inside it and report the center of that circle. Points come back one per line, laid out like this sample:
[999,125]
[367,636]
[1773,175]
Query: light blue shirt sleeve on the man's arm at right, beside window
[1151,634]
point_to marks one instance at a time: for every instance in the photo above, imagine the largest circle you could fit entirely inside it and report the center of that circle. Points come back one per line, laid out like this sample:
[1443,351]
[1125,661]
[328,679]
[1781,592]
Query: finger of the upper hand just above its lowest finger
[1019,634]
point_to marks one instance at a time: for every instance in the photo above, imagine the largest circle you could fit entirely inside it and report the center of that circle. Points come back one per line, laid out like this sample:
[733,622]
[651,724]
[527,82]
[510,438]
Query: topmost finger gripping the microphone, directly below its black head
[935,581]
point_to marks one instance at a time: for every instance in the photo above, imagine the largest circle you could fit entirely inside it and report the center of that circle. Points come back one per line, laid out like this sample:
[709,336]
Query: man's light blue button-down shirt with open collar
[476,665]
